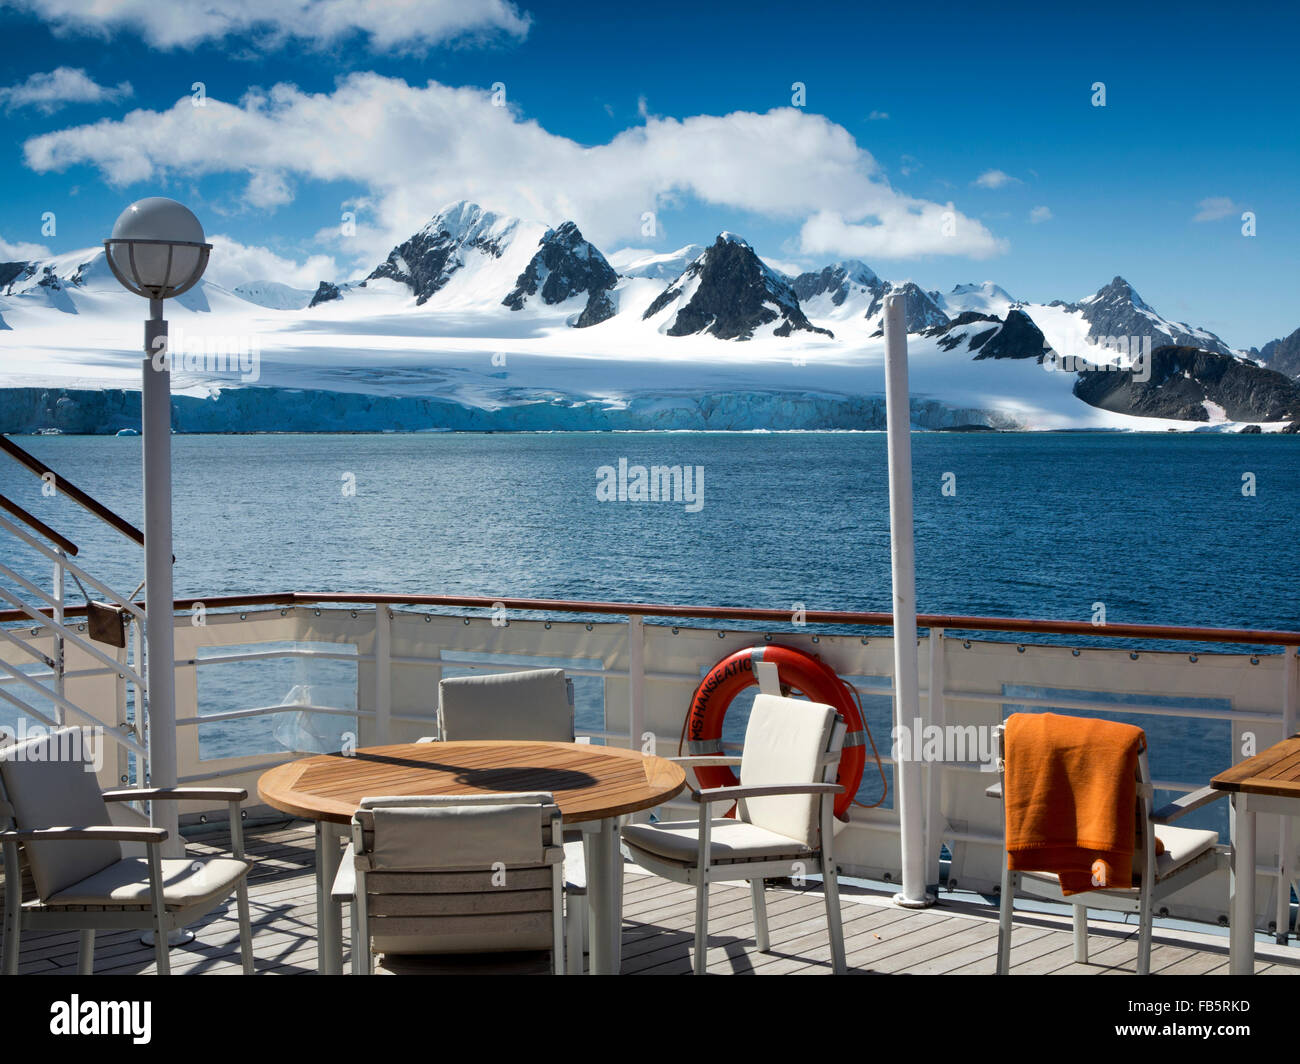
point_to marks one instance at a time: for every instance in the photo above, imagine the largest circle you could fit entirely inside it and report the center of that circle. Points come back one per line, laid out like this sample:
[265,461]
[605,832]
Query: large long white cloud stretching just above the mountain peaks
[415,149]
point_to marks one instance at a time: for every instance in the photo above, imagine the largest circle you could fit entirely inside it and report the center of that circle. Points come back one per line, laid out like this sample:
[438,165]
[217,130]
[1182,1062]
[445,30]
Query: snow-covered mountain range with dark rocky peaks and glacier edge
[483,321]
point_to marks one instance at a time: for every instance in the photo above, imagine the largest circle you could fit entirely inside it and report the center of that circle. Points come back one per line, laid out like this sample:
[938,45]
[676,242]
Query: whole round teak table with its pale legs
[593,786]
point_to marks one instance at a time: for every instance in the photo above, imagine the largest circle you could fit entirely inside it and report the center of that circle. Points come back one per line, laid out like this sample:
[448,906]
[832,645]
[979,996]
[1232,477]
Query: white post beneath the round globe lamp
[157,426]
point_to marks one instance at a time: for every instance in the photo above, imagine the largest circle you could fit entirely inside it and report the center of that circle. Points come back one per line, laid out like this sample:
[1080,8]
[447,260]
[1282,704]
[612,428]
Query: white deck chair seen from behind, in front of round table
[456,875]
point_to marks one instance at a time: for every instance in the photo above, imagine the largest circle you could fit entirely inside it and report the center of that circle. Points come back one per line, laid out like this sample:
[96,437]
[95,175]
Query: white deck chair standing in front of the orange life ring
[785,819]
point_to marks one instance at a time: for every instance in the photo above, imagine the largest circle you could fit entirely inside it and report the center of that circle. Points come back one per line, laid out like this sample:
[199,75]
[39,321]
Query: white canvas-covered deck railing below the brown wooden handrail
[636,680]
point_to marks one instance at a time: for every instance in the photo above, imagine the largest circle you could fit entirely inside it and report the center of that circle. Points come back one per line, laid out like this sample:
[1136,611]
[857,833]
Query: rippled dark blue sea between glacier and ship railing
[1158,527]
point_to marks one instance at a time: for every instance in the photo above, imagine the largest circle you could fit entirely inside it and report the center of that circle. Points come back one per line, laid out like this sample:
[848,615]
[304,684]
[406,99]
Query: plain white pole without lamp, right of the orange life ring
[909,782]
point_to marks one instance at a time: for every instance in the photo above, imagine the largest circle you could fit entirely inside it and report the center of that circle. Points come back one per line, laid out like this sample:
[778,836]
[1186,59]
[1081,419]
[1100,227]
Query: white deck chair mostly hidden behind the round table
[534,704]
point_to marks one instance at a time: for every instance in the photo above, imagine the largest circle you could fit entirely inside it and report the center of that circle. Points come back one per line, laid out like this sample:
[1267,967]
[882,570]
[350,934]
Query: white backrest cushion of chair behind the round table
[531,706]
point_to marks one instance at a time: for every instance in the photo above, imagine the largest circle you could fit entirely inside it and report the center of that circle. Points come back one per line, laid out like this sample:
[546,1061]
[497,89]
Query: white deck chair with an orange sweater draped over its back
[1189,855]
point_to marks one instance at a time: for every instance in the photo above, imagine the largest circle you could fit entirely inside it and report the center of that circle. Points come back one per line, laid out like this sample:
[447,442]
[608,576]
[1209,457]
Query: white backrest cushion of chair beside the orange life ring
[785,743]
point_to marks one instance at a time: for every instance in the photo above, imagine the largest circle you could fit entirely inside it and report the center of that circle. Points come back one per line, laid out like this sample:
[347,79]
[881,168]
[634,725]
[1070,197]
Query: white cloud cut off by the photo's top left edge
[398,25]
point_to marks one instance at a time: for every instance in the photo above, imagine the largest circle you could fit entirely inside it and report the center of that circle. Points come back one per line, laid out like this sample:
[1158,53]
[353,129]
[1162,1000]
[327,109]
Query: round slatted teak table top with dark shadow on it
[588,782]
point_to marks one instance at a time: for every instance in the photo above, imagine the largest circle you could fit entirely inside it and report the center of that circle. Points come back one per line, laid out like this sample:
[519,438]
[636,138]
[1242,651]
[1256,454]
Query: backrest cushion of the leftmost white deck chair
[50,789]
